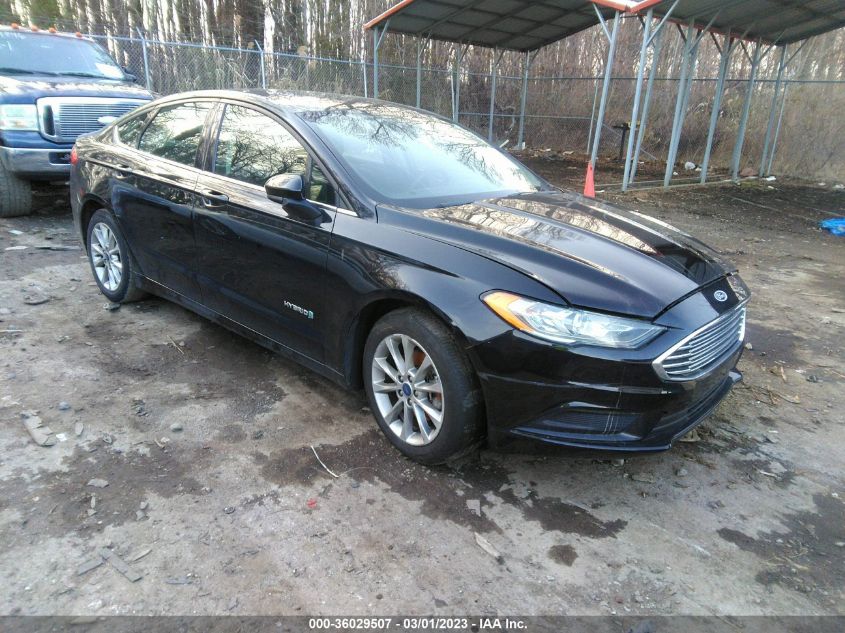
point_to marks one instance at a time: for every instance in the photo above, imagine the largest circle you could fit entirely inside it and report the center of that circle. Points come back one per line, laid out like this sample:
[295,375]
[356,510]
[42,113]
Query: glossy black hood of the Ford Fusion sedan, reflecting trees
[593,254]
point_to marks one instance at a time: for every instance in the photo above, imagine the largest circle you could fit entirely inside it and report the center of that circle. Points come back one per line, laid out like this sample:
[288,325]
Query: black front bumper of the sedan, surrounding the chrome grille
[599,398]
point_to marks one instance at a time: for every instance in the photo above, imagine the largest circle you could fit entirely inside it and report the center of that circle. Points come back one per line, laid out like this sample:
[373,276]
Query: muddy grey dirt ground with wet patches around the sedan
[233,514]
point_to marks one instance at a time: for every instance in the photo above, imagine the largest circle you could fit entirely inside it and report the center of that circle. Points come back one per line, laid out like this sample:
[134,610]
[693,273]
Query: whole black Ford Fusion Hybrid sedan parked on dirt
[388,248]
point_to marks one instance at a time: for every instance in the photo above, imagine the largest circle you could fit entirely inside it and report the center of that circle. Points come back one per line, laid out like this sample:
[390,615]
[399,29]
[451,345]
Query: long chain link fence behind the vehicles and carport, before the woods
[560,111]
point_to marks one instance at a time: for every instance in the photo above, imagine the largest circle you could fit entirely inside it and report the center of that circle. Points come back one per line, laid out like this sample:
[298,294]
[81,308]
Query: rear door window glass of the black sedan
[176,132]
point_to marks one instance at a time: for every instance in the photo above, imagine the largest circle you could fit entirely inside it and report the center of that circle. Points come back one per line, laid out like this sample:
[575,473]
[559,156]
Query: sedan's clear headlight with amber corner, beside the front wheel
[569,325]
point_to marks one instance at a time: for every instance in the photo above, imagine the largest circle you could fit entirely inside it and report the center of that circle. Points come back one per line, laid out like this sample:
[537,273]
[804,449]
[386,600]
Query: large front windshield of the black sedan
[410,158]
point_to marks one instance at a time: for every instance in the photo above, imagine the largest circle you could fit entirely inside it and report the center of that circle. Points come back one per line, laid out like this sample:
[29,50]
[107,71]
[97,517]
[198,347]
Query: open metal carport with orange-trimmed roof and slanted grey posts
[755,27]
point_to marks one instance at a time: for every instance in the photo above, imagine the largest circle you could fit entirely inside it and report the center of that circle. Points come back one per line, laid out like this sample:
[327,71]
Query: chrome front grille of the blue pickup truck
[65,118]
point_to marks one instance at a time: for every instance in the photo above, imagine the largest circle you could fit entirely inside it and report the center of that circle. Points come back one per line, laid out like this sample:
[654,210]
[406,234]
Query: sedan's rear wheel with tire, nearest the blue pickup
[115,275]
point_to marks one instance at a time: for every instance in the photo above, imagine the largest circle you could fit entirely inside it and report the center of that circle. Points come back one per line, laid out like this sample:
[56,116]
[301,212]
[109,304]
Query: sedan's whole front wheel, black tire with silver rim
[391,393]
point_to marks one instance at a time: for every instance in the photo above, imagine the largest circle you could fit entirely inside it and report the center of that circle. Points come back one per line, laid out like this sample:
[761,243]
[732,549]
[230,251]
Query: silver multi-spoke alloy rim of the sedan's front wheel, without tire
[407,389]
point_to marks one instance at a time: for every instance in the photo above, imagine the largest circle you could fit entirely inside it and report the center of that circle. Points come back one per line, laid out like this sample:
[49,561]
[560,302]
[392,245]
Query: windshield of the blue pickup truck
[46,54]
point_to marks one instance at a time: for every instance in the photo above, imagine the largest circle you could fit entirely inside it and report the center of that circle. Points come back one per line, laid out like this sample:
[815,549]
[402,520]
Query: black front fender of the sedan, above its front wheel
[374,268]
